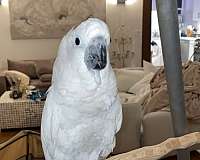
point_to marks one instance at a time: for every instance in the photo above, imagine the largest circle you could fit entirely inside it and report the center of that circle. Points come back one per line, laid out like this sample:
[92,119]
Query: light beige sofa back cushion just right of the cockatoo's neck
[126,78]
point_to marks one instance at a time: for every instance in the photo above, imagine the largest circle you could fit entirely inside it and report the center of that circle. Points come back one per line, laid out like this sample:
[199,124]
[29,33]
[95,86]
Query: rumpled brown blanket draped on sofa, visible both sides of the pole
[158,98]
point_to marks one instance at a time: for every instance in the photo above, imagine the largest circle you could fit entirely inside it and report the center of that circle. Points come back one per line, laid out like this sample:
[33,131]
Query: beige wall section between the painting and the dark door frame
[126,21]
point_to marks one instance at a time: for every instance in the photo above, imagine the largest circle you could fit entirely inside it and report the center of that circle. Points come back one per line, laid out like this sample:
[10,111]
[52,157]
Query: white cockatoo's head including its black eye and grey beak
[91,39]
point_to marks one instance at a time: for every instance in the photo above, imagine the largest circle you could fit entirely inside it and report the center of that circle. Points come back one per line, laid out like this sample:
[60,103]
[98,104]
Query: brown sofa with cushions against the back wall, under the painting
[38,71]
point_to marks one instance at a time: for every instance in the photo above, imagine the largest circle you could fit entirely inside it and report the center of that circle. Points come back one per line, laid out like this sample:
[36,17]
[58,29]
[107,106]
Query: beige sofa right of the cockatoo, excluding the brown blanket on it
[149,129]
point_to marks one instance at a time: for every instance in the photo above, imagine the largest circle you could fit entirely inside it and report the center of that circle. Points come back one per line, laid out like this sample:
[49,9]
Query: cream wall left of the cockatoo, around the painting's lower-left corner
[22,49]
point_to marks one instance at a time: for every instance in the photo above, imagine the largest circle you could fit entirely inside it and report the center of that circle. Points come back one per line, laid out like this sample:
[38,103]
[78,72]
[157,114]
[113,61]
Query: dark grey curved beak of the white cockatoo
[96,54]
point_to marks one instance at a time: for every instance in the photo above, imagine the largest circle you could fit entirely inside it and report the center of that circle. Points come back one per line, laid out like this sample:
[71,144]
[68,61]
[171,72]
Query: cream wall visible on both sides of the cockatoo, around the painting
[117,15]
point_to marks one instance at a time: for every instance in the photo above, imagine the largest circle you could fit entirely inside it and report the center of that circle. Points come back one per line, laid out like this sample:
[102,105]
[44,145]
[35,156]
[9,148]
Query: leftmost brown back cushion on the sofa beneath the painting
[26,67]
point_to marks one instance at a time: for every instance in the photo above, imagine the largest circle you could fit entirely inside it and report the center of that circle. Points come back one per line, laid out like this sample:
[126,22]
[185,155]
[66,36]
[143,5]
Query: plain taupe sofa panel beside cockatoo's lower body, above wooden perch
[128,138]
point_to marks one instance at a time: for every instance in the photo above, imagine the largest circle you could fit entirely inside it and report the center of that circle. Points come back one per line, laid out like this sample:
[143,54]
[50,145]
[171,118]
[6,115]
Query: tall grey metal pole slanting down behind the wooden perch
[169,32]
